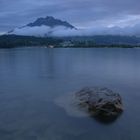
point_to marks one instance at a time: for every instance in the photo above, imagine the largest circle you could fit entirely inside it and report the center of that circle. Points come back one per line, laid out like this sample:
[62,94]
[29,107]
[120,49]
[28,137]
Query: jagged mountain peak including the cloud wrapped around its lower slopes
[48,26]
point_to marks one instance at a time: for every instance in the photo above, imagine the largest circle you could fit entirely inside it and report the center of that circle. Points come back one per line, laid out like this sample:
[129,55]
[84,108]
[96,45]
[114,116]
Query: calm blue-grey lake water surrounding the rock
[31,78]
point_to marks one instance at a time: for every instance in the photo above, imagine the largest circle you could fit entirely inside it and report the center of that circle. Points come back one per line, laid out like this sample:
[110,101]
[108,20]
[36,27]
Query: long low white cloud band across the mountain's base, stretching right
[60,31]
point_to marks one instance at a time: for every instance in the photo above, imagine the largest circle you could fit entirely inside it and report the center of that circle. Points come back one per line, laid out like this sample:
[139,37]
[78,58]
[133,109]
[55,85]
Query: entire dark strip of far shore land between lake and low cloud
[11,41]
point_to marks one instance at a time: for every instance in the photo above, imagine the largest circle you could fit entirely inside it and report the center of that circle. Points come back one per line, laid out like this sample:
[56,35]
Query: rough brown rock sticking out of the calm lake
[100,102]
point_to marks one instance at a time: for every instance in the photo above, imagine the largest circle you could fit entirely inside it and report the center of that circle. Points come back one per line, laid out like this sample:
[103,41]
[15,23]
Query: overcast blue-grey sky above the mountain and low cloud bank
[80,13]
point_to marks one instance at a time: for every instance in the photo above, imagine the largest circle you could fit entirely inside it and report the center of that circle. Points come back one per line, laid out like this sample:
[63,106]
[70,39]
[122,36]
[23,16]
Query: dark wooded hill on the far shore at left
[11,41]
